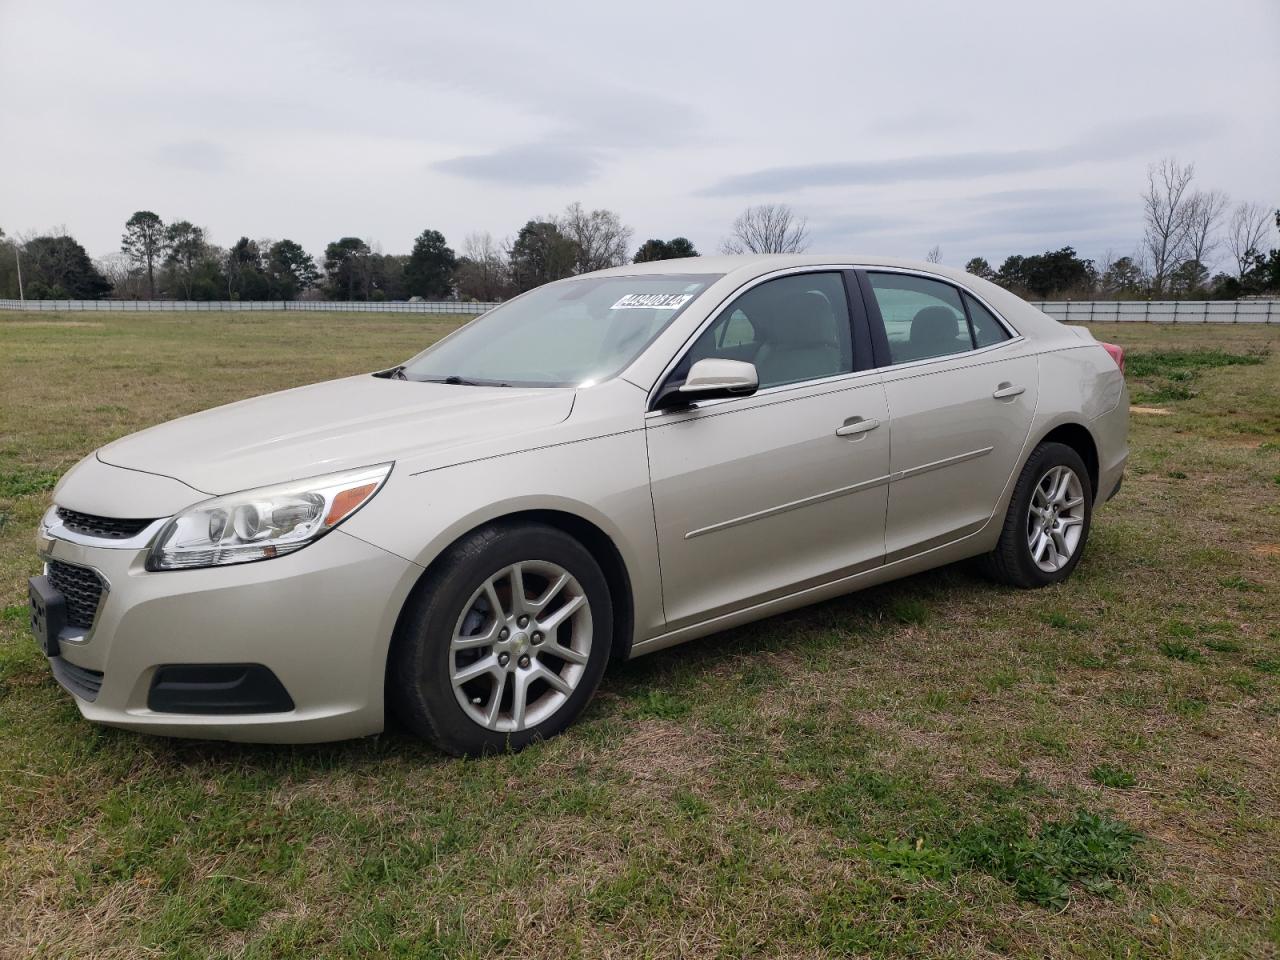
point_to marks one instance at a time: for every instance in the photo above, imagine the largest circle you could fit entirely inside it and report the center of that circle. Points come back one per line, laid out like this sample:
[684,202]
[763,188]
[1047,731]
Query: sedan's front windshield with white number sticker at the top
[564,335]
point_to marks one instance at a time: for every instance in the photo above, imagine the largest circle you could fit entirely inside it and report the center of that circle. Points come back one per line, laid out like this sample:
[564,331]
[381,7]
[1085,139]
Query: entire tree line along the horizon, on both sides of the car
[1196,245]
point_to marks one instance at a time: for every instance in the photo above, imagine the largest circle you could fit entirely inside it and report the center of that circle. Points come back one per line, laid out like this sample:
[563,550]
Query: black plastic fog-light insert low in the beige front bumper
[218,689]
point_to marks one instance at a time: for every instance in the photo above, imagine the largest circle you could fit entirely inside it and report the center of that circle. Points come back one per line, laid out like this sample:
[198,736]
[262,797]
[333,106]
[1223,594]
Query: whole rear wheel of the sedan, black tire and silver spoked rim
[1032,518]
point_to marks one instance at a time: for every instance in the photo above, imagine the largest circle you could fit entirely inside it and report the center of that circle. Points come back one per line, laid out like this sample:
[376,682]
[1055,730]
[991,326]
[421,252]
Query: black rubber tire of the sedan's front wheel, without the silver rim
[423,692]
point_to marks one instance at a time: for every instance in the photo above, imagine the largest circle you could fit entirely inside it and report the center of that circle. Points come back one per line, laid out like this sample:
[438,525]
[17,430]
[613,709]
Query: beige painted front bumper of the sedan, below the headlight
[321,620]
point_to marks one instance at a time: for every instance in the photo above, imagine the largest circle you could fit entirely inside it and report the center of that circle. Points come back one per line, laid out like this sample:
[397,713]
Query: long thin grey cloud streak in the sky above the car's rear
[1112,143]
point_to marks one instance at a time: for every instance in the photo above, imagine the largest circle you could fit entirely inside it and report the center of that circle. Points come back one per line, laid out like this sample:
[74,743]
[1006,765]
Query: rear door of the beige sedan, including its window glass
[962,390]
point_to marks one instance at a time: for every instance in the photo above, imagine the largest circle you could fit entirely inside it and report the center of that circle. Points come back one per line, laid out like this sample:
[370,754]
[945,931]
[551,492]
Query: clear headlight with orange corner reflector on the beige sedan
[267,523]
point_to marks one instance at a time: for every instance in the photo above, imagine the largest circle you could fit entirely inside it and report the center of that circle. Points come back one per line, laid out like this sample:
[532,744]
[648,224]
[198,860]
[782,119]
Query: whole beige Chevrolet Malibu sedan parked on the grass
[600,469]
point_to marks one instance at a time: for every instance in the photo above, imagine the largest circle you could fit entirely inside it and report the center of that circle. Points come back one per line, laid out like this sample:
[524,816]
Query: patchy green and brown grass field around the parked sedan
[936,767]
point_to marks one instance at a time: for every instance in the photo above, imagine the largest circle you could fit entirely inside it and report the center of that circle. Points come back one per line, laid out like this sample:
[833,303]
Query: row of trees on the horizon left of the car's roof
[177,260]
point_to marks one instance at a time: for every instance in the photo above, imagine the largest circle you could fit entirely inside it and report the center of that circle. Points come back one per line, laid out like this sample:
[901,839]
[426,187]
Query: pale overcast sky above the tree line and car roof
[985,129]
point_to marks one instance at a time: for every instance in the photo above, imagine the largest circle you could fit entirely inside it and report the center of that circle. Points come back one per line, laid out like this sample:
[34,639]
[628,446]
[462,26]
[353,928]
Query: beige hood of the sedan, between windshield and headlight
[331,427]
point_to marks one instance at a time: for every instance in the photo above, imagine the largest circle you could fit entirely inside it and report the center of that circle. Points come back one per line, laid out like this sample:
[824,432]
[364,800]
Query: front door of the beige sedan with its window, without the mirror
[757,497]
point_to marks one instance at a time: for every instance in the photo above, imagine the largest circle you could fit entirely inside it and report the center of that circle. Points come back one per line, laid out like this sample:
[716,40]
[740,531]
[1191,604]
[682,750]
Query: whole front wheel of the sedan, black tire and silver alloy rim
[452,655]
